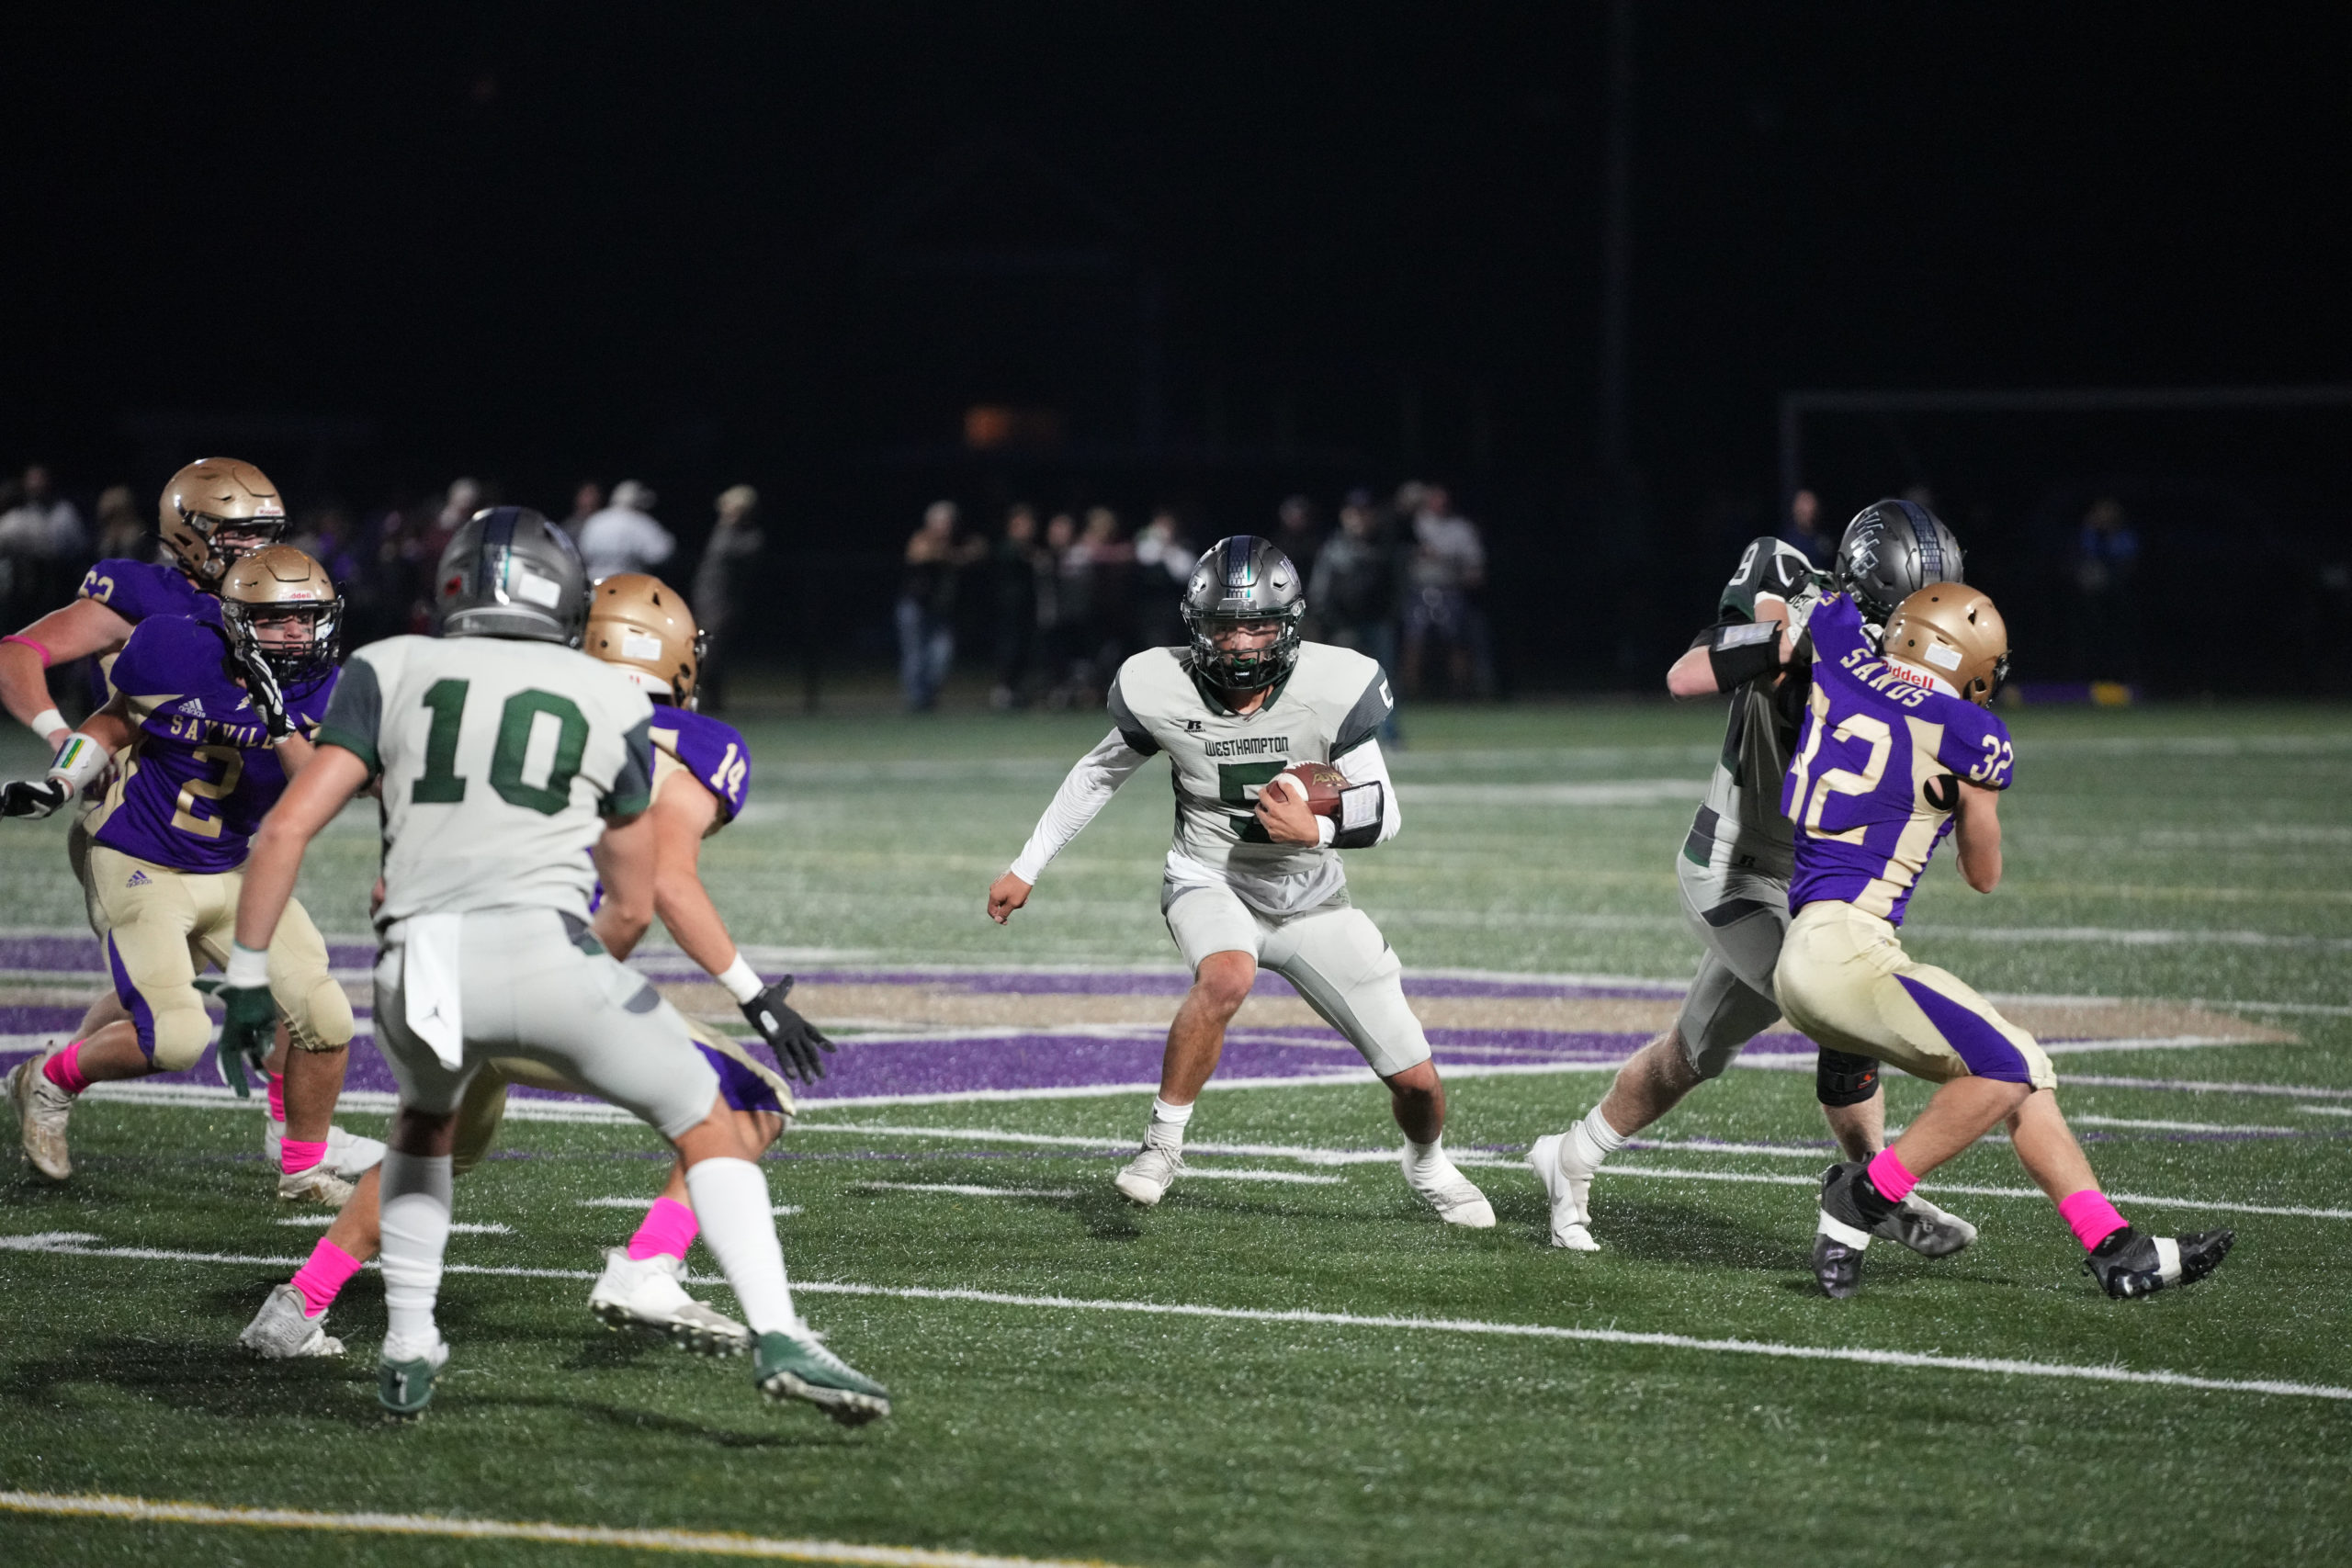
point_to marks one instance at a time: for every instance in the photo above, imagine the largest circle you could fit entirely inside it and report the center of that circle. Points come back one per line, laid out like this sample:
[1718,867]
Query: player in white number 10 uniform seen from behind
[507,758]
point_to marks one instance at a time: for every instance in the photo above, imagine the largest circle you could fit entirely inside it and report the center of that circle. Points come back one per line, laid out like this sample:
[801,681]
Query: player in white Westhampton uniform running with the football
[1255,878]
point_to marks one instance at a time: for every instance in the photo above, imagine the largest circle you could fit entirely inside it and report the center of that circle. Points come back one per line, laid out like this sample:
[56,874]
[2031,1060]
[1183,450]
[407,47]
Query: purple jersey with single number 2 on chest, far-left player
[201,775]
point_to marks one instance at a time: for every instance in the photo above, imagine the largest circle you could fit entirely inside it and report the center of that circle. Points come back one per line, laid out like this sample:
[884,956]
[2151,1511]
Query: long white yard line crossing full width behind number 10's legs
[76,1245]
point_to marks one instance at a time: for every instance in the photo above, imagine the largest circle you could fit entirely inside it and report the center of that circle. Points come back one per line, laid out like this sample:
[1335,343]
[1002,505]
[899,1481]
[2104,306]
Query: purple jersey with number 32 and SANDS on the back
[1871,751]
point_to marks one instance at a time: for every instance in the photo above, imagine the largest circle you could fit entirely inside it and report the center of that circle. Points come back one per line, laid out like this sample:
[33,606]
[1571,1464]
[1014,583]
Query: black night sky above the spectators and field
[547,241]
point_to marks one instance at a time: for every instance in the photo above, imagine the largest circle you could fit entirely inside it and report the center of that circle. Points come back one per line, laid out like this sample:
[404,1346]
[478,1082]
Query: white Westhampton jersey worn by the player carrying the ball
[1330,704]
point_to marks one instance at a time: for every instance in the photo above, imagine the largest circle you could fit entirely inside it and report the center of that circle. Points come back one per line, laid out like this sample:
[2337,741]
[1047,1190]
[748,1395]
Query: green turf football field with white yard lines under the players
[2186,855]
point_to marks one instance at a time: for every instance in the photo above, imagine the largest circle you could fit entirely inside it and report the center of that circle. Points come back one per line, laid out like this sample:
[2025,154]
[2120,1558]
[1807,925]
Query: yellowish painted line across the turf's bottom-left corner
[681,1543]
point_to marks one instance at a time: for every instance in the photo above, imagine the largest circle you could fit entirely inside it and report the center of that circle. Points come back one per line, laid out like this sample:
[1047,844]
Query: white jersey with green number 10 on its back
[500,765]
